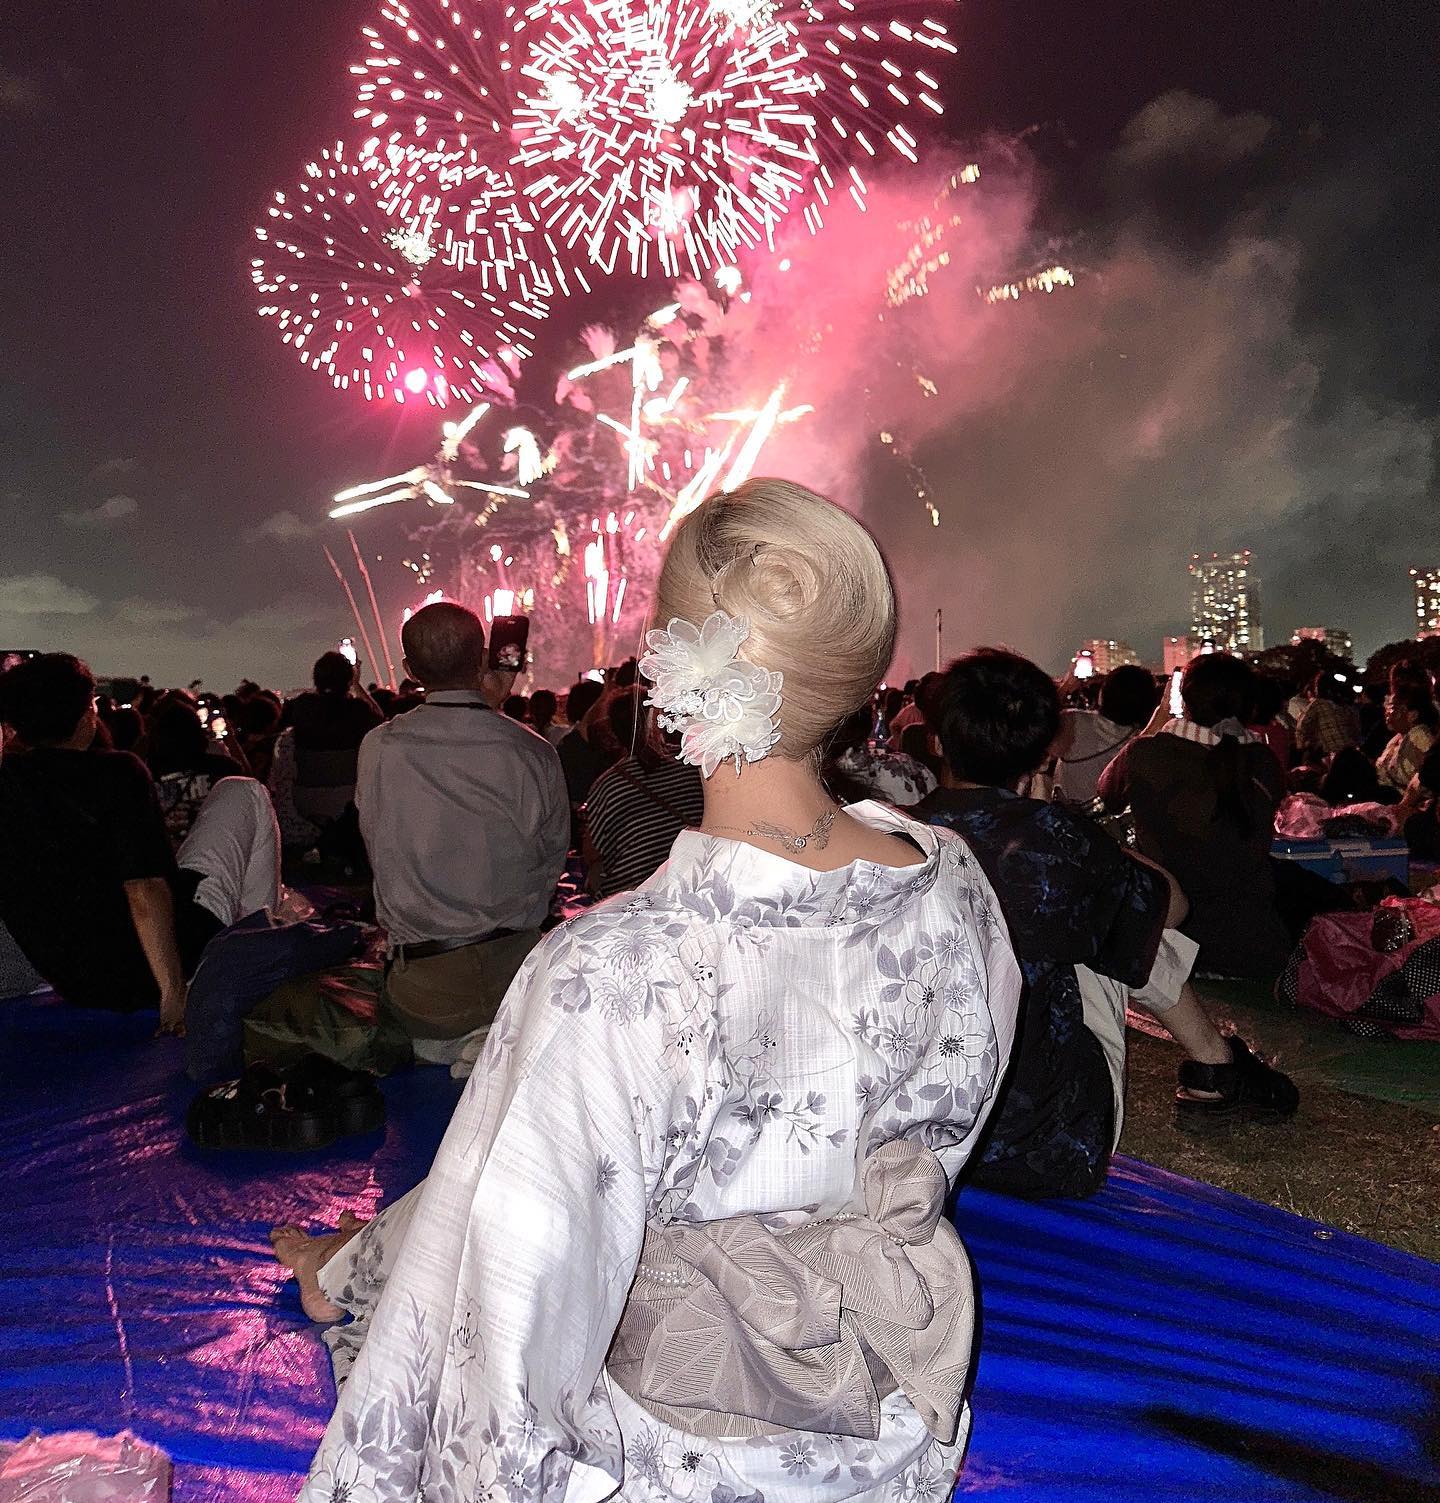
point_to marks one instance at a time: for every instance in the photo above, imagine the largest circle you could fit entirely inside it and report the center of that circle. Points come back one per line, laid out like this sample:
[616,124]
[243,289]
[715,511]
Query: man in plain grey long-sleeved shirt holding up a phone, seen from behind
[467,823]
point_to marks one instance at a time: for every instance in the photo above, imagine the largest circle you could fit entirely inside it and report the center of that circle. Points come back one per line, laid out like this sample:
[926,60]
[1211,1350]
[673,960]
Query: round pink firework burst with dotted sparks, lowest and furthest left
[396,286]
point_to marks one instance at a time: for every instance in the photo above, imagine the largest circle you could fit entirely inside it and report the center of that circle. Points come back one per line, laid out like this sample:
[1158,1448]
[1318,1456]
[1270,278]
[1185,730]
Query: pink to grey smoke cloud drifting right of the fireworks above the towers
[1080,446]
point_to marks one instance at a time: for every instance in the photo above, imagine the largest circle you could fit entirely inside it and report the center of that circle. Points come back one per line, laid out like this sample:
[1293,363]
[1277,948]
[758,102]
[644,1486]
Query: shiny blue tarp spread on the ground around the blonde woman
[1163,1341]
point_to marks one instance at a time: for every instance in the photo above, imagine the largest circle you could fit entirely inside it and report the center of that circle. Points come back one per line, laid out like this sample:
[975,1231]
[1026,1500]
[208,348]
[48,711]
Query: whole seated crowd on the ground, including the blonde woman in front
[843,946]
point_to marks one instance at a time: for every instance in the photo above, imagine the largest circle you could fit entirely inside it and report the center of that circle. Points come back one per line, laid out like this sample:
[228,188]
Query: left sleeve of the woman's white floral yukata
[483,1371]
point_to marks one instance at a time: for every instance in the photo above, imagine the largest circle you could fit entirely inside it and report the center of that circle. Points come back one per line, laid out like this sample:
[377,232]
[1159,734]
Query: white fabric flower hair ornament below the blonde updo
[722,706]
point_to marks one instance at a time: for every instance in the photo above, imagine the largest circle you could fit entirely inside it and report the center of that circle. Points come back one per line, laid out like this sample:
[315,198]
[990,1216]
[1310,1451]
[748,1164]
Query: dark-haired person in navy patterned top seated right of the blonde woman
[1094,927]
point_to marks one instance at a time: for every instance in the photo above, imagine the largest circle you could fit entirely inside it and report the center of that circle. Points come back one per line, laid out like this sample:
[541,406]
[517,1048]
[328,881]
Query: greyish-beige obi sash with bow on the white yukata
[737,1331]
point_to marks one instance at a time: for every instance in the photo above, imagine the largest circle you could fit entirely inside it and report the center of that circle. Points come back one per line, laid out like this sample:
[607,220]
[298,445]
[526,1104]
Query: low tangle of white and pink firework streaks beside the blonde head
[575,509]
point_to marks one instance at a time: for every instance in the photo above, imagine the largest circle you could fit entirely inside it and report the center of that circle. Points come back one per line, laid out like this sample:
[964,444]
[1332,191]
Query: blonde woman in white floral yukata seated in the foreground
[685,1236]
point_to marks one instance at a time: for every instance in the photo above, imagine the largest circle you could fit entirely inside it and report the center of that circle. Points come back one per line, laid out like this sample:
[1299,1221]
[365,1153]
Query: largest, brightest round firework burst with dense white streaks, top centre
[664,127]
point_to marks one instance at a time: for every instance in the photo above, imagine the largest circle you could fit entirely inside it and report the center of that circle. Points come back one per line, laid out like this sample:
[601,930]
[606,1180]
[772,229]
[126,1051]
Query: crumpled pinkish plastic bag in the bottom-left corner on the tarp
[77,1466]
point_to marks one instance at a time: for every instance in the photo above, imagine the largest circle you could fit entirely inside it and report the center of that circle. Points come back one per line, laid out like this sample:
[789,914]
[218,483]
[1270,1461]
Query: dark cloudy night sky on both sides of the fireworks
[166,464]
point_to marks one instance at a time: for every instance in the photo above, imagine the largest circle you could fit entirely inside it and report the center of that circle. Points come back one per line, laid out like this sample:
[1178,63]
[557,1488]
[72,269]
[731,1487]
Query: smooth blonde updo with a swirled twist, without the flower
[814,585]
